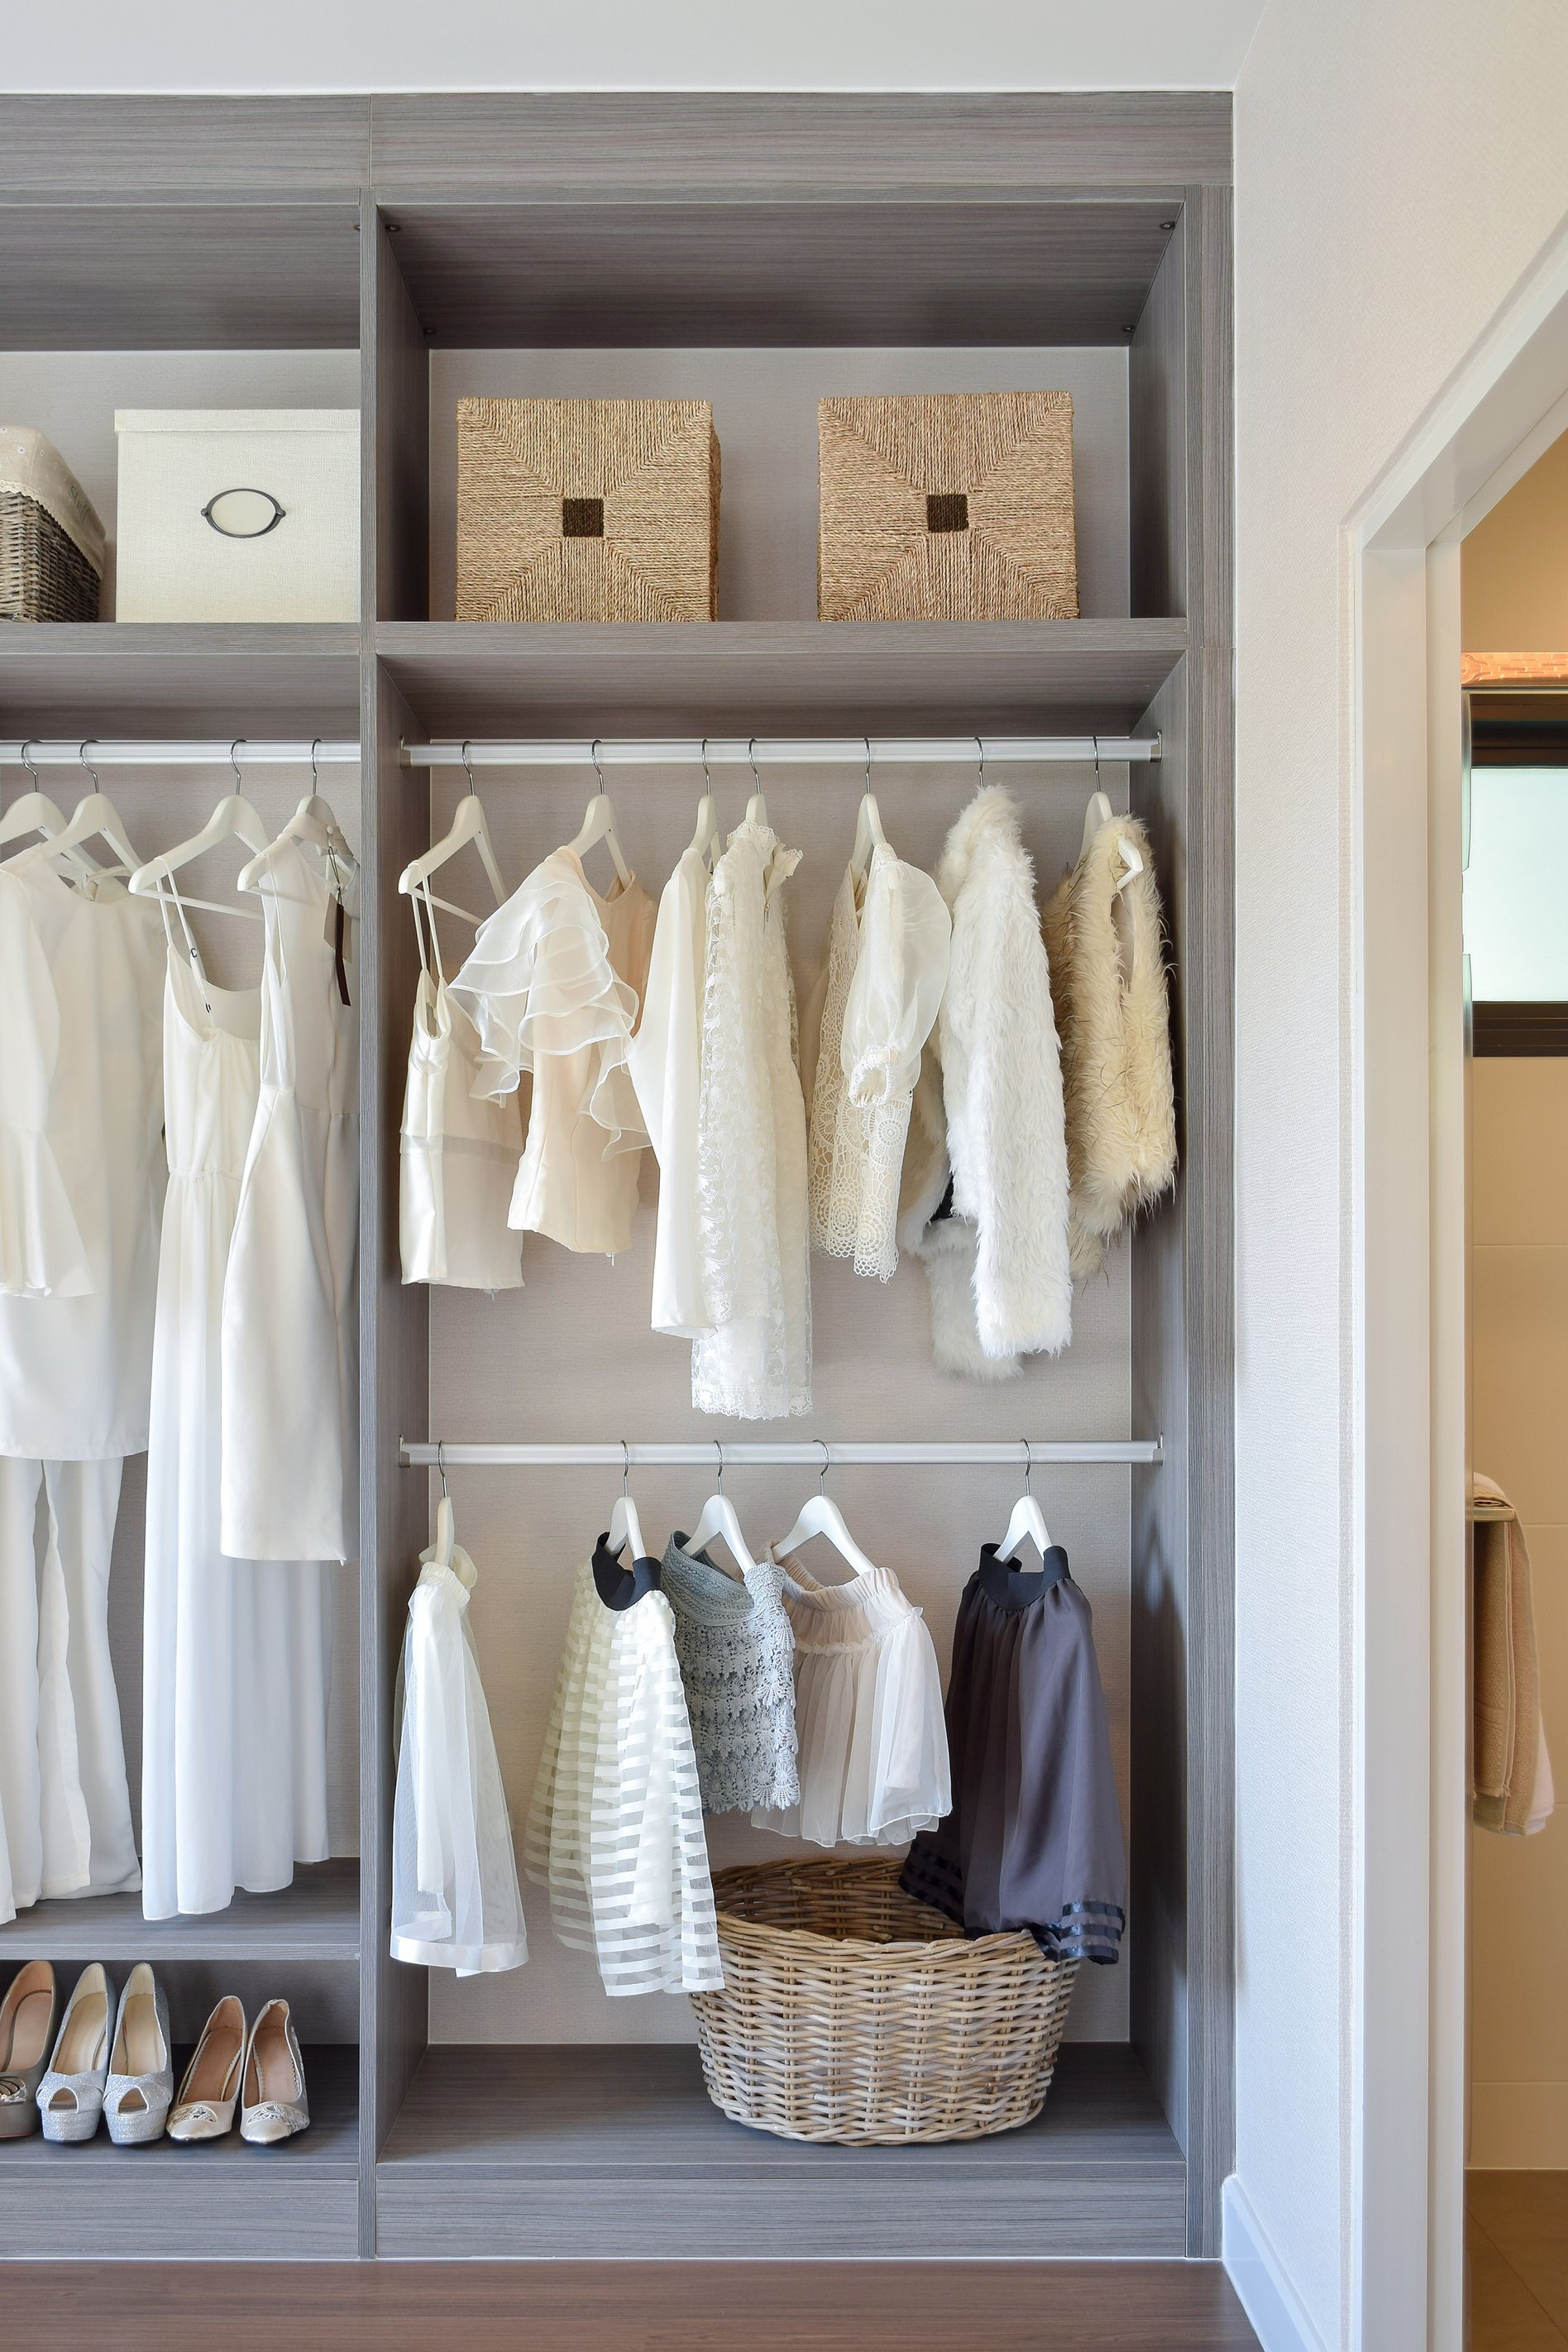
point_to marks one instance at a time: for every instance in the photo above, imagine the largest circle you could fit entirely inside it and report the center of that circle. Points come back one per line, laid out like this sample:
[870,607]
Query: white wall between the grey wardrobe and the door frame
[1398,171]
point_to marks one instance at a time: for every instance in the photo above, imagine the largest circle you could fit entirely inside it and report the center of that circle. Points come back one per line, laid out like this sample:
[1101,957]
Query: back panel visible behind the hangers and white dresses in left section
[161,810]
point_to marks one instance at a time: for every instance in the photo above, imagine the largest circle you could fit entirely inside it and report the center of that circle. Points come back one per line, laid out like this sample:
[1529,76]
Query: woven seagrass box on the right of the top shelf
[946,507]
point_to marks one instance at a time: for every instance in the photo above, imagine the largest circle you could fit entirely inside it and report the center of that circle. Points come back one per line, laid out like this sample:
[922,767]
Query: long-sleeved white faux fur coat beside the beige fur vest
[989,1118]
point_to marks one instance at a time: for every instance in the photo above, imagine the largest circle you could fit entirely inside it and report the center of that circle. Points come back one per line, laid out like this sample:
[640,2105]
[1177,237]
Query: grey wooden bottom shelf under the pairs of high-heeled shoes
[213,2200]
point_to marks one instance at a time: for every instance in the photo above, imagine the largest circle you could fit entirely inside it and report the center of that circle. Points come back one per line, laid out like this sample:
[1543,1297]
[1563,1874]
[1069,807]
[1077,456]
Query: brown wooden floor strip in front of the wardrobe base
[622,2306]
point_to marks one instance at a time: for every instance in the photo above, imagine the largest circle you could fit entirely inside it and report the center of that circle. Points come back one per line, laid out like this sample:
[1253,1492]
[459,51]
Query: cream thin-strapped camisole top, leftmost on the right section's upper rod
[460,1151]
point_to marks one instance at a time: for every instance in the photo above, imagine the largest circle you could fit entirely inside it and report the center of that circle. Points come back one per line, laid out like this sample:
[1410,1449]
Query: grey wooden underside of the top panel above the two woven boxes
[779,274]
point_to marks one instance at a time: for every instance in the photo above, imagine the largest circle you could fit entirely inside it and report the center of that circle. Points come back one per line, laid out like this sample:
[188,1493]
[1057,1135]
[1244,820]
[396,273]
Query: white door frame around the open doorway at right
[1407,1344]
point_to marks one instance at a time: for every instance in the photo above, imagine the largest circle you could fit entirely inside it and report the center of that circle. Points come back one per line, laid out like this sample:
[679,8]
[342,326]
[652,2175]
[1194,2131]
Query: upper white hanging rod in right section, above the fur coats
[791,751]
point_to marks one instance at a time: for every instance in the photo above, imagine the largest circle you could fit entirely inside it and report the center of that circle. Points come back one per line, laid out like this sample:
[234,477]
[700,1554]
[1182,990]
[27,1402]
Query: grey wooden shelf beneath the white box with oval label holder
[135,679]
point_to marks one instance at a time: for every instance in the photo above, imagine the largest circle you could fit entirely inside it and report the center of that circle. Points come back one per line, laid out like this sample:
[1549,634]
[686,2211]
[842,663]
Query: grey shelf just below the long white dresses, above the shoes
[316,1918]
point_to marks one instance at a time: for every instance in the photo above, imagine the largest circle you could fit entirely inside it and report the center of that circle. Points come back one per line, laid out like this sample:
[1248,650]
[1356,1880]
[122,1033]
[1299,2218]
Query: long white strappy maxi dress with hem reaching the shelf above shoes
[236,1652]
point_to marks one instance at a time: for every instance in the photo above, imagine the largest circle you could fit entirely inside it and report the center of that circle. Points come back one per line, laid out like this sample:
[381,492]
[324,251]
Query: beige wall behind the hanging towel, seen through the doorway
[1520,1436]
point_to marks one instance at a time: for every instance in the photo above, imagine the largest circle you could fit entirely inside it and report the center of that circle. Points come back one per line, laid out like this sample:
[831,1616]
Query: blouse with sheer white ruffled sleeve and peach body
[554,987]
